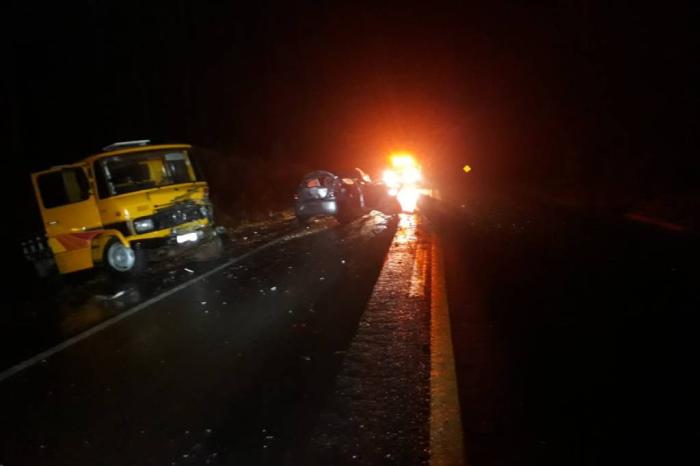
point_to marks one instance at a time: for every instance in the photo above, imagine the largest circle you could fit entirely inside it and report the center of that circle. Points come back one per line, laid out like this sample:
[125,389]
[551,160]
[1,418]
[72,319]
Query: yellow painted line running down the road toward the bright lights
[446,433]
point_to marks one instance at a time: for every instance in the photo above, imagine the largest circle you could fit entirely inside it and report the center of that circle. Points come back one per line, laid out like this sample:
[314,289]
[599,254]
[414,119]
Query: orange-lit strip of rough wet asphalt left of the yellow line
[379,411]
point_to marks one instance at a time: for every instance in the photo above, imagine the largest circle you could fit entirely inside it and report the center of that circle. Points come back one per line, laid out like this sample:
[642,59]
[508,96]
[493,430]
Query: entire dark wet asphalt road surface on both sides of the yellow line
[574,343]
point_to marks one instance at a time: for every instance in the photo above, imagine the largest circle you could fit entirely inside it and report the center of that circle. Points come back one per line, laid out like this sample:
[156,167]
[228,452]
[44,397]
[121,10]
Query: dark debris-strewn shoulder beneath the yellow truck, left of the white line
[43,313]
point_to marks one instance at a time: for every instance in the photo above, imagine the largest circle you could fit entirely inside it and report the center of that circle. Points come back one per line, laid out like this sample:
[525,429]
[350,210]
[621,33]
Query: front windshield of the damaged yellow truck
[138,171]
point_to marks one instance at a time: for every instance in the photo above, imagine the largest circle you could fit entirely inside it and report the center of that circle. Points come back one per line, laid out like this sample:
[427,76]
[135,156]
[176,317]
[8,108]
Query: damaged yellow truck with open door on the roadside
[121,208]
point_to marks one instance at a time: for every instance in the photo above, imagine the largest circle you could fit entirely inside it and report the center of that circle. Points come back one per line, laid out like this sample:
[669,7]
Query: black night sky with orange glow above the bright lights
[552,93]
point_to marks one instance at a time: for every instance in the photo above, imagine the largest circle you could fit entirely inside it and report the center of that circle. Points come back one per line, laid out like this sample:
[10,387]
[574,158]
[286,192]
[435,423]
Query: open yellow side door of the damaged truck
[69,212]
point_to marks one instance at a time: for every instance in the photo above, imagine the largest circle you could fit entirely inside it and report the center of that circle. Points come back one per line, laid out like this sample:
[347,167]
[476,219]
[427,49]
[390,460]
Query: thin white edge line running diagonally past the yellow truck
[6,374]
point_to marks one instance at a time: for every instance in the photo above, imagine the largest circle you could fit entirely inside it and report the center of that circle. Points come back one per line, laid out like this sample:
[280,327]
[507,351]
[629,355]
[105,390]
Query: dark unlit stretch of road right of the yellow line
[575,335]
